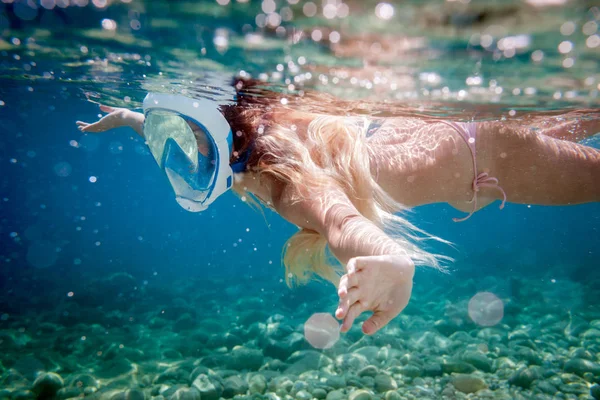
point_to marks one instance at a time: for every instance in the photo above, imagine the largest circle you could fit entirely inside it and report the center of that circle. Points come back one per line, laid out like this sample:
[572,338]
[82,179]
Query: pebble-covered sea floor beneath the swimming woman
[120,338]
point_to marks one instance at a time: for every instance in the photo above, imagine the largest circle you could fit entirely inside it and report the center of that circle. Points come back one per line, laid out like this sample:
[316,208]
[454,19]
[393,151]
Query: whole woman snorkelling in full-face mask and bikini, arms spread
[342,179]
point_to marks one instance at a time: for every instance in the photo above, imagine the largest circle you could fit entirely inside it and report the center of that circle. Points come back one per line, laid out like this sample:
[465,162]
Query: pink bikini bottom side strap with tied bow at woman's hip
[468,131]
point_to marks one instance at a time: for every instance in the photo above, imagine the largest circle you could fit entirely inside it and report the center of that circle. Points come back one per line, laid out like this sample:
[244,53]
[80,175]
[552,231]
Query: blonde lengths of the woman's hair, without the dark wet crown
[333,151]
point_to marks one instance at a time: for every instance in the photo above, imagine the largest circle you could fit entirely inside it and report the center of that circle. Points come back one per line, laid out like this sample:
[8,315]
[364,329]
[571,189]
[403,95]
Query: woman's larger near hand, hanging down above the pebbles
[382,284]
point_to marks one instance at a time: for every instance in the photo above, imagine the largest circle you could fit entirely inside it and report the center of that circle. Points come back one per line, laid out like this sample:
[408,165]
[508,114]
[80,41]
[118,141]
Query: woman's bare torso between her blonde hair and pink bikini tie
[420,162]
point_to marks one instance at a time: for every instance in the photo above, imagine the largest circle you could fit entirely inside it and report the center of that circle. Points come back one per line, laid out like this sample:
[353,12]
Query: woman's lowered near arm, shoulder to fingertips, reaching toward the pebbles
[378,272]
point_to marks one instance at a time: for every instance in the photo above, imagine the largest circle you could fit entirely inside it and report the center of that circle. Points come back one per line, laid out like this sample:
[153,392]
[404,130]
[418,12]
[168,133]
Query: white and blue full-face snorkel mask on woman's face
[191,141]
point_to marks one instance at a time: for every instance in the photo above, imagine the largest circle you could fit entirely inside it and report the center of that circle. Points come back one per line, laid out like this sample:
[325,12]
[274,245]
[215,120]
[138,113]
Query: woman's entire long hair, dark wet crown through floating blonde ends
[332,151]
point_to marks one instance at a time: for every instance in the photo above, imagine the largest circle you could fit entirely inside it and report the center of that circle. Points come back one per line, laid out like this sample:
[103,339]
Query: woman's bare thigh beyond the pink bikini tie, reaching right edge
[534,168]
